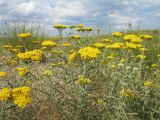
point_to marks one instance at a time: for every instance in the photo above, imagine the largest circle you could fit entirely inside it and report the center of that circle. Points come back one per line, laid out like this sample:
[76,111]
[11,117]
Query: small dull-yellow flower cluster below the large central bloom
[83,80]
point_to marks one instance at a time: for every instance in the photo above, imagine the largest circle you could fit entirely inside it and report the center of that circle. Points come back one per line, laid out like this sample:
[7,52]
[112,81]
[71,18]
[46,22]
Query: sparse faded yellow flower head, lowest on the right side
[127,93]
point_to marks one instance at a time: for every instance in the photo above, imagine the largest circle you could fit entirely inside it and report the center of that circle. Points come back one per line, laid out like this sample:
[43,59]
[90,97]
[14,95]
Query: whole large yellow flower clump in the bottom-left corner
[19,95]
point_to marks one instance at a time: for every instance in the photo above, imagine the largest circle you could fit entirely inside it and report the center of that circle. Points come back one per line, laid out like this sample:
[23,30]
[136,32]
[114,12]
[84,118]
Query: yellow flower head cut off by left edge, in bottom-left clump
[4,94]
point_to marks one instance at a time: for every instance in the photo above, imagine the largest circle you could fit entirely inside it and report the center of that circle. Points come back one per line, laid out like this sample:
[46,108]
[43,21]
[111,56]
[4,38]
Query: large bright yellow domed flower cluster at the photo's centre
[89,53]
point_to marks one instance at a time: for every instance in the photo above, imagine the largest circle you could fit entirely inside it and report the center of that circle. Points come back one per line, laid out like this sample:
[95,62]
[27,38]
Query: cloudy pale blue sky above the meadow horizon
[107,14]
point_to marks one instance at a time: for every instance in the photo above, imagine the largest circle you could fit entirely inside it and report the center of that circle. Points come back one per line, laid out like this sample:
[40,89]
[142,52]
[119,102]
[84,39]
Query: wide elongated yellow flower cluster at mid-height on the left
[35,55]
